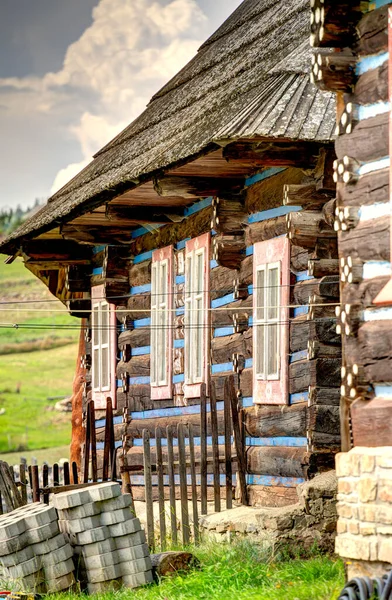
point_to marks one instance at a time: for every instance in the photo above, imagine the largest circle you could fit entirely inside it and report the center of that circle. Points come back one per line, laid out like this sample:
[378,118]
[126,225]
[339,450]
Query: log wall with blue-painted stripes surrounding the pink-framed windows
[285,444]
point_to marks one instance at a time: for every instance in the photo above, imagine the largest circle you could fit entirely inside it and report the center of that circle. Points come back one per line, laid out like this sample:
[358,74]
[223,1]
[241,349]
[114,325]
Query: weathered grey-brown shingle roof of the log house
[251,78]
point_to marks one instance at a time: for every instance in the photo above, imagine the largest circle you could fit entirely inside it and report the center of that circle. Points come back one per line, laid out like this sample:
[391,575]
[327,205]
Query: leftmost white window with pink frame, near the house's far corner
[103,324]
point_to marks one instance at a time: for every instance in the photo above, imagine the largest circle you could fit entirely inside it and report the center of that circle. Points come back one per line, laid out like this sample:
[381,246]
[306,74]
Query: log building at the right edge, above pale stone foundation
[357,71]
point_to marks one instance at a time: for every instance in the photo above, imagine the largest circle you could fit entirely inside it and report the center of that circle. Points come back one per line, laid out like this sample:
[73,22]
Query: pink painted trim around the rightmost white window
[270,251]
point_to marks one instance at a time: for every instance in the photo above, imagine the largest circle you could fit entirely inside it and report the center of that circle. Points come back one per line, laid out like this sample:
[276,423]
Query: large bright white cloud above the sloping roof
[131,49]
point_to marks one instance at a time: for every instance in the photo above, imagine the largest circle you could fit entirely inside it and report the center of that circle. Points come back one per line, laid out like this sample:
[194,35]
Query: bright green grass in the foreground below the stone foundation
[243,571]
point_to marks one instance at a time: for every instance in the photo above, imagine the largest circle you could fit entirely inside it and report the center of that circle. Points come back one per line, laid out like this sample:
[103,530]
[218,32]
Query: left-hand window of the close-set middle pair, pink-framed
[161,323]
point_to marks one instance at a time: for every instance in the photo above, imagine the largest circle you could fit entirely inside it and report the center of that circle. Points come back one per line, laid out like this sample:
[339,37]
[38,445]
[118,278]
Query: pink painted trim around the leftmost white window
[98,295]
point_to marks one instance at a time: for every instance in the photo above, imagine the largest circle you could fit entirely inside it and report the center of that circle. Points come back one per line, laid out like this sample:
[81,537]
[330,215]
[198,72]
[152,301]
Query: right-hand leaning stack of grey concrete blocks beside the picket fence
[109,545]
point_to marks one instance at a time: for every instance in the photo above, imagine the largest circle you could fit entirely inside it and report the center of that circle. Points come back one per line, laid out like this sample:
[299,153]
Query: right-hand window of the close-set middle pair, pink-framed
[197,256]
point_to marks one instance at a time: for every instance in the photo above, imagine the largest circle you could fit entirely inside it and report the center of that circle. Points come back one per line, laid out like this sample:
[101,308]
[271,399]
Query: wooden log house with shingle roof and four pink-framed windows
[201,241]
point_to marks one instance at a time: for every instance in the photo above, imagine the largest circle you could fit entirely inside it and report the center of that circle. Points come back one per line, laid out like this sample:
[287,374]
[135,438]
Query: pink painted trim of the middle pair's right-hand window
[202,241]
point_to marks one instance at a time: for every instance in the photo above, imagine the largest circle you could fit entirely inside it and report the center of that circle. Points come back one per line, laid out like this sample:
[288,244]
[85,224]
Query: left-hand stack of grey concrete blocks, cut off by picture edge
[34,555]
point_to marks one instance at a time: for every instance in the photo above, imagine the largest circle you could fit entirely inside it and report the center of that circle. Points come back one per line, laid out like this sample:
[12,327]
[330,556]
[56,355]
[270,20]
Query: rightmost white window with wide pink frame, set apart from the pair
[271,296]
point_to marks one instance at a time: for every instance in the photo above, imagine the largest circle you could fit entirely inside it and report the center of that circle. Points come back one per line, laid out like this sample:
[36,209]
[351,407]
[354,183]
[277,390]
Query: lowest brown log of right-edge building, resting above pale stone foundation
[372,422]
